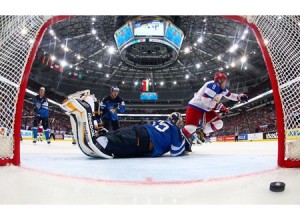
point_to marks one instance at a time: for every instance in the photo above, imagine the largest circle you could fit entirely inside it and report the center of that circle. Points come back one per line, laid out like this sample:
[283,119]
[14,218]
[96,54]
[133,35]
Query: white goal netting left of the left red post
[17,35]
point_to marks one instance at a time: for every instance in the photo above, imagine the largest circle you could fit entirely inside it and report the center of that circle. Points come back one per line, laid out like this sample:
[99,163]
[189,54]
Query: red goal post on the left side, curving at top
[16,160]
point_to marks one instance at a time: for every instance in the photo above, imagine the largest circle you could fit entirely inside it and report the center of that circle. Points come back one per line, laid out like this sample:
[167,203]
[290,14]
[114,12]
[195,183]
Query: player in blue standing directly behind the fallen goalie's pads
[110,106]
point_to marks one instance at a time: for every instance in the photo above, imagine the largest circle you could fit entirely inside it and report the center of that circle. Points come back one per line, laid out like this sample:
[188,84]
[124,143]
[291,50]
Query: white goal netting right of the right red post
[282,39]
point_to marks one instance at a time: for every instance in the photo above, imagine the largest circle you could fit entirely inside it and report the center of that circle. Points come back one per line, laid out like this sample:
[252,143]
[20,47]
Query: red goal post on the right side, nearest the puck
[277,99]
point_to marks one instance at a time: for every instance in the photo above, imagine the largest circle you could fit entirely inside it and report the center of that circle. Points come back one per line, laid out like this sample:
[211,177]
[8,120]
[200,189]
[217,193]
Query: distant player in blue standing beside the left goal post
[41,114]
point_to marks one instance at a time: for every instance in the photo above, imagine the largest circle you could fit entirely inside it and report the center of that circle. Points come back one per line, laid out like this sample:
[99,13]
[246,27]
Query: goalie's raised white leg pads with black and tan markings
[79,108]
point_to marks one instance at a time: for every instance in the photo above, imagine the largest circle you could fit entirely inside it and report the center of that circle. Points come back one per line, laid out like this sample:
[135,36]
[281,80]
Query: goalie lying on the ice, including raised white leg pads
[150,140]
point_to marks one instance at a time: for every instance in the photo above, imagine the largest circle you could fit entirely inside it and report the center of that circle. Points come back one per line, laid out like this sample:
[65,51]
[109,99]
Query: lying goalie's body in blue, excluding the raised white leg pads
[150,140]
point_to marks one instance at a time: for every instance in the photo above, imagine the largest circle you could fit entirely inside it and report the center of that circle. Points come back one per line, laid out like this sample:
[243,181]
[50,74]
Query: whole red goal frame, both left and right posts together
[270,68]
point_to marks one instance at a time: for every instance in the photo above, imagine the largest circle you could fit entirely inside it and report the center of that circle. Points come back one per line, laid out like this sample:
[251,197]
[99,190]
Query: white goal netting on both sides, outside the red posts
[281,34]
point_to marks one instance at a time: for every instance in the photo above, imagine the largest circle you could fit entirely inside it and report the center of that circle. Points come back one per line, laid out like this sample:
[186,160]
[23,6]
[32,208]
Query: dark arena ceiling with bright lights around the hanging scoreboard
[212,43]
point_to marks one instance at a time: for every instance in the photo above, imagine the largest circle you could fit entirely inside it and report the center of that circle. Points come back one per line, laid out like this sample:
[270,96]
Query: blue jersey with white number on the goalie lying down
[165,137]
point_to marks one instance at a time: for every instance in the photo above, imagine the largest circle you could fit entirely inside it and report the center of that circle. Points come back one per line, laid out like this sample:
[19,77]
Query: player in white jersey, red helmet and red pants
[202,107]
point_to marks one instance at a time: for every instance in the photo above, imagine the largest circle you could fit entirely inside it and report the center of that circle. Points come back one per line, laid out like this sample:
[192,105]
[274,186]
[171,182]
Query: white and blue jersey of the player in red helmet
[209,95]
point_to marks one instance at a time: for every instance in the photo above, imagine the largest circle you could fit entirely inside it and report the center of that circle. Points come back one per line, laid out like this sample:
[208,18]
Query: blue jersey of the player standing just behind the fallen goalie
[109,103]
